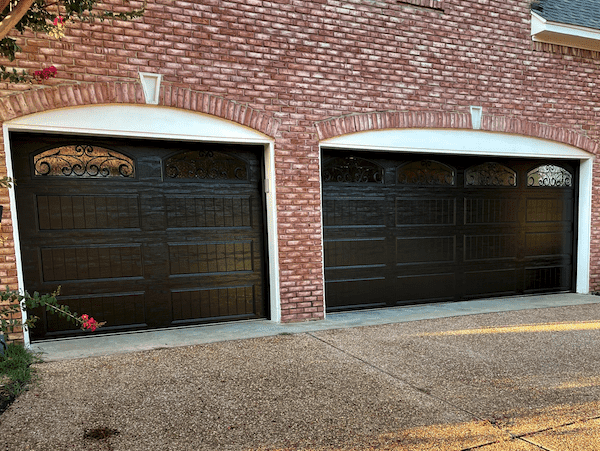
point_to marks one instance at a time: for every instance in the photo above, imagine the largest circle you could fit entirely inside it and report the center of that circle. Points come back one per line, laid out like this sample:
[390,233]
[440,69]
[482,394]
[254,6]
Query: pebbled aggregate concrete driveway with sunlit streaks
[517,380]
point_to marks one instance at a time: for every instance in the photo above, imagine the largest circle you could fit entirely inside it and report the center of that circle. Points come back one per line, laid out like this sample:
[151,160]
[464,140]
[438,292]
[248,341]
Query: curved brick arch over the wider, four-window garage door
[430,119]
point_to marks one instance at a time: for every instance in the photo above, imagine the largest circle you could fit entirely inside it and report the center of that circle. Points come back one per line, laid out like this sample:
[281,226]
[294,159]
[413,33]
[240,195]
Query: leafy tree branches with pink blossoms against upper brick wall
[51,17]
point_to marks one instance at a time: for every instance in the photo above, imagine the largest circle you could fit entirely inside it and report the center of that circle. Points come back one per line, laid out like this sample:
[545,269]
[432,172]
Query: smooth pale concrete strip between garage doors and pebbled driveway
[97,345]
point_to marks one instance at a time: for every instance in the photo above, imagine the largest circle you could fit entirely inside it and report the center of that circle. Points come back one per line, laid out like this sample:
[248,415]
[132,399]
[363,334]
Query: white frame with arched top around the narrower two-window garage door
[149,122]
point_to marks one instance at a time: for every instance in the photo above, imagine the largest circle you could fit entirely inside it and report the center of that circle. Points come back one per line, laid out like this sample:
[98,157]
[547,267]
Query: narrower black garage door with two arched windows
[140,234]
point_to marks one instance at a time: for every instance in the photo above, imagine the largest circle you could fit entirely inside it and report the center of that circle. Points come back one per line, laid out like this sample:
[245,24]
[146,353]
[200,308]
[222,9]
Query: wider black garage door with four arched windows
[409,229]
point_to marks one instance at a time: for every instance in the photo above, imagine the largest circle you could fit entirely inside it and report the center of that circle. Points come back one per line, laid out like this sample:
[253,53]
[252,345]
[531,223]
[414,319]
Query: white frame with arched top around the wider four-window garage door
[473,143]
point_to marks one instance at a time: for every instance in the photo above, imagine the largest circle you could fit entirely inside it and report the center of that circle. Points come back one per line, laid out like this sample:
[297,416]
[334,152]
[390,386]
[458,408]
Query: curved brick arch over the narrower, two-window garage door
[62,96]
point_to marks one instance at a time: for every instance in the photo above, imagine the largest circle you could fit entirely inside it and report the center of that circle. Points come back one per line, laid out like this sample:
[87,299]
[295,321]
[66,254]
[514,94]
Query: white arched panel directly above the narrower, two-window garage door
[142,121]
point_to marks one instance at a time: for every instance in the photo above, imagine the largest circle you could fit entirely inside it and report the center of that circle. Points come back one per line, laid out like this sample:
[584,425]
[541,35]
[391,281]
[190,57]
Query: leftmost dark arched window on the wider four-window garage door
[351,170]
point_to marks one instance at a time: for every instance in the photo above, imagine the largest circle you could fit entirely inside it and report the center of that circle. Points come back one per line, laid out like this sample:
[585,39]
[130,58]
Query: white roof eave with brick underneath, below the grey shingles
[564,34]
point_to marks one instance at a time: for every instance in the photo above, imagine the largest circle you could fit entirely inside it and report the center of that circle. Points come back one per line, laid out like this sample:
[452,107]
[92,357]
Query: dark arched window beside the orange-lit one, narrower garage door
[205,165]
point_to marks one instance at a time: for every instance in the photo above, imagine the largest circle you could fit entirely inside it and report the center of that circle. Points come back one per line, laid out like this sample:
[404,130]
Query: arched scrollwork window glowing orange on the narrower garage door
[83,160]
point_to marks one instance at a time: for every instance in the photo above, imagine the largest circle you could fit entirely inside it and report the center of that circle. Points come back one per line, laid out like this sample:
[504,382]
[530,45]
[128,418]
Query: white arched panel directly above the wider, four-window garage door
[465,142]
